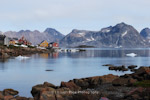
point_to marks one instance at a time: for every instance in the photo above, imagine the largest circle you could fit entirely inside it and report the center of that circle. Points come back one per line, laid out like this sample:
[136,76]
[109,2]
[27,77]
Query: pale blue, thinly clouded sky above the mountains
[65,15]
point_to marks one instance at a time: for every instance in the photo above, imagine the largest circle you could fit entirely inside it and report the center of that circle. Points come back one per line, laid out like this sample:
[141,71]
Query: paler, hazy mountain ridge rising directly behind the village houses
[35,37]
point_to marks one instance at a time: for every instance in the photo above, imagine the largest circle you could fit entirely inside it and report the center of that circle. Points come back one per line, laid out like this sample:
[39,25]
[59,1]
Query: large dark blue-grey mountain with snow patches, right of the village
[120,35]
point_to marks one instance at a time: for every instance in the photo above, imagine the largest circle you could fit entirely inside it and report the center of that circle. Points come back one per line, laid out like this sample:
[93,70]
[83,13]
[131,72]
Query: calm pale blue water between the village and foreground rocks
[21,75]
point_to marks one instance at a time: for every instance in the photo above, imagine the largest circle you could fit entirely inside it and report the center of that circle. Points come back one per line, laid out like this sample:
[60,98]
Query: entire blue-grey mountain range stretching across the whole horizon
[120,35]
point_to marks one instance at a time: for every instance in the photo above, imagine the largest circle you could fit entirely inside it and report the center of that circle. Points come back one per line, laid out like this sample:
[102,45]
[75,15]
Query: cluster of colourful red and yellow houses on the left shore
[23,42]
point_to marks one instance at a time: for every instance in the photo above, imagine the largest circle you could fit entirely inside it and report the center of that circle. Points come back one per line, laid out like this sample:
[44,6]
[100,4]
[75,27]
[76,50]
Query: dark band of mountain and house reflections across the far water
[99,53]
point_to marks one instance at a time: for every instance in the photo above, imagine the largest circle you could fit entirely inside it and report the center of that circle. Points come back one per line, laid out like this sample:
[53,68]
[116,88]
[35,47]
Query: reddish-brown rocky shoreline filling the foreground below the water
[134,86]
